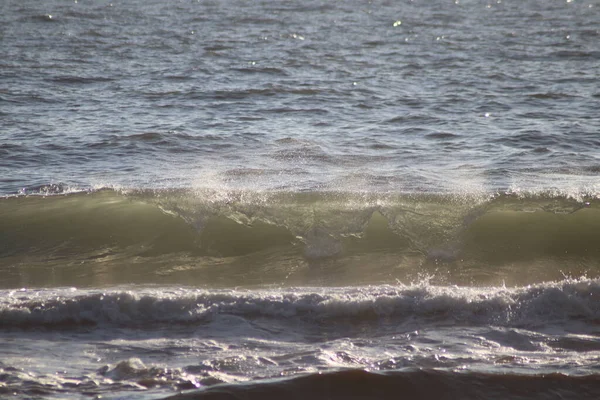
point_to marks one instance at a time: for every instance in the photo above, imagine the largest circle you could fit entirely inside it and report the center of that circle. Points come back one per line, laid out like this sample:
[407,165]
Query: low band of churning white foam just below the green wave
[542,304]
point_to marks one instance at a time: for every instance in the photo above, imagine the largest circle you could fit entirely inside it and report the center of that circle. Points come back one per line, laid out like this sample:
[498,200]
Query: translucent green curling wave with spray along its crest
[241,238]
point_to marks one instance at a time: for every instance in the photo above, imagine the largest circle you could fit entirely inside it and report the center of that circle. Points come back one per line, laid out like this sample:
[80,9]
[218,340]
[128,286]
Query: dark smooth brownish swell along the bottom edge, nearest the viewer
[413,384]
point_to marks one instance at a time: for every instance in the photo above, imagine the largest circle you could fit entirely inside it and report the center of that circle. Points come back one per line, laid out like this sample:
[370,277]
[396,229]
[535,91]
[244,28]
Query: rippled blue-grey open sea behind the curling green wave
[301,94]
